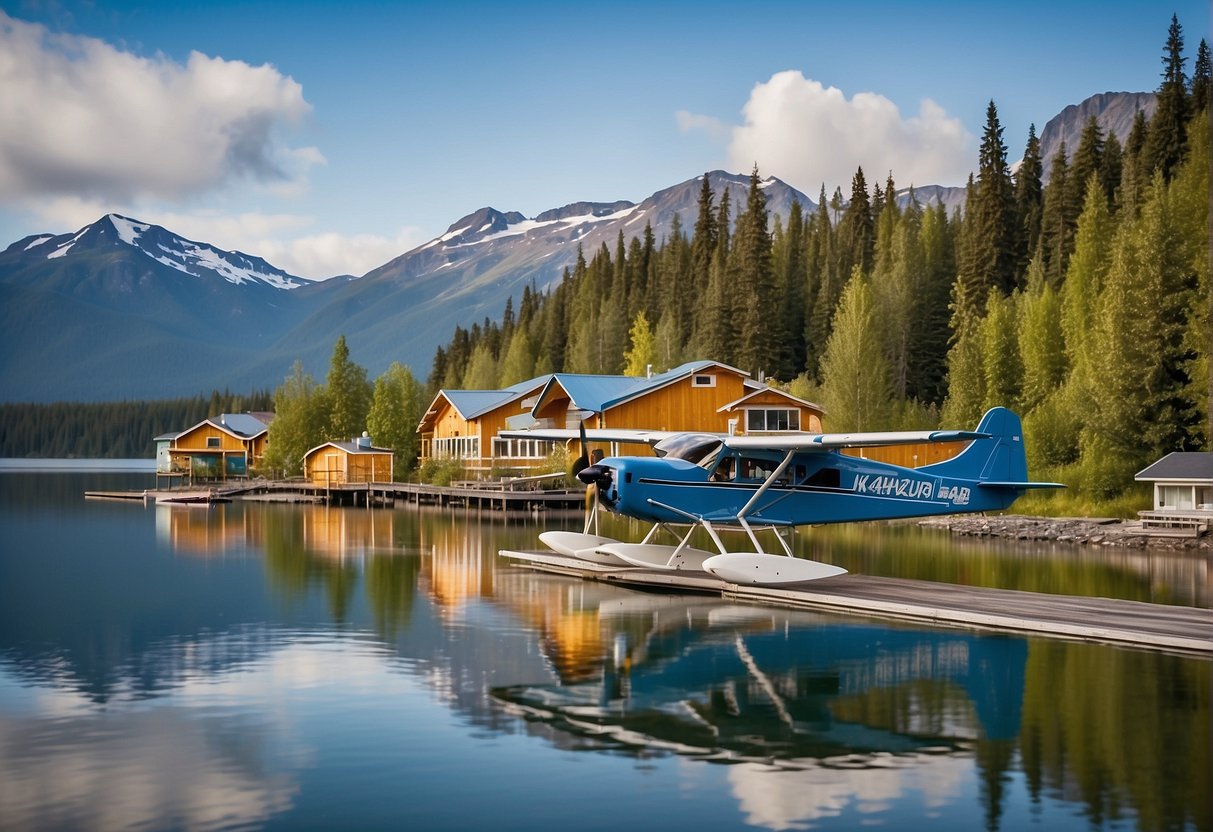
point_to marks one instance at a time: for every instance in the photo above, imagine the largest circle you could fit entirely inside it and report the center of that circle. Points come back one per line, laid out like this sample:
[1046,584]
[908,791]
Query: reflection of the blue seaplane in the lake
[783,688]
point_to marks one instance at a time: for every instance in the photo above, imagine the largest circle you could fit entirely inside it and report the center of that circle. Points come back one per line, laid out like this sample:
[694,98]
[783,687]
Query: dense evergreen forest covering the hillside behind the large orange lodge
[1083,303]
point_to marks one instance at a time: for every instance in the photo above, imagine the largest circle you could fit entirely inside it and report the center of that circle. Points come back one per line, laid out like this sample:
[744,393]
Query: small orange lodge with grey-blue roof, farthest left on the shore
[225,447]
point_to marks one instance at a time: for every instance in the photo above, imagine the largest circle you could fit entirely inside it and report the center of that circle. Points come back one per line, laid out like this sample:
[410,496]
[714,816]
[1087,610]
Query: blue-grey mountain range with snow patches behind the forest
[141,312]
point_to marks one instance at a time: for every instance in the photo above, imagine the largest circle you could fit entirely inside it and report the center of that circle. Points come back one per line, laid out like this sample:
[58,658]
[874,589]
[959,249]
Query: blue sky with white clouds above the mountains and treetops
[331,138]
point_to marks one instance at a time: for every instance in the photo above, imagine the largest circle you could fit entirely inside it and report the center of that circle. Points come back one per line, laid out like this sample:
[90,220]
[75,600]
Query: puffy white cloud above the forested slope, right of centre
[810,135]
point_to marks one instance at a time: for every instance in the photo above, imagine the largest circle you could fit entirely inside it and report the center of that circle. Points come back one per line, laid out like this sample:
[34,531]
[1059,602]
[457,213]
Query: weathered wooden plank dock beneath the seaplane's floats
[1183,630]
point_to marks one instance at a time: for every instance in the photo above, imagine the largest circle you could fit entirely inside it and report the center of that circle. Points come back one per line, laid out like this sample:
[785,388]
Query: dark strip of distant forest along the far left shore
[112,430]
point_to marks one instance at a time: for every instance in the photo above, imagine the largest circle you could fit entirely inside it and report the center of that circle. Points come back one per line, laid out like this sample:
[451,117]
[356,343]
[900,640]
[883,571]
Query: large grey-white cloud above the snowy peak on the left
[83,119]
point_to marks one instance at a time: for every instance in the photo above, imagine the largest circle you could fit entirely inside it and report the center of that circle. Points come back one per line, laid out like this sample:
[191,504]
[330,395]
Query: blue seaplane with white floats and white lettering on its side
[759,483]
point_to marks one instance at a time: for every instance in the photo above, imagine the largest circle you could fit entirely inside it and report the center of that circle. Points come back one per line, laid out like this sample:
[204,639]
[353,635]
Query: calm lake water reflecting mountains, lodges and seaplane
[275,666]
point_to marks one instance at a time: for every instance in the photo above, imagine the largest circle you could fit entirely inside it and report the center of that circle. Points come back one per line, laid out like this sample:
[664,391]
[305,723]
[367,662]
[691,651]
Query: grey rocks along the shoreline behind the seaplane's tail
[1081,531]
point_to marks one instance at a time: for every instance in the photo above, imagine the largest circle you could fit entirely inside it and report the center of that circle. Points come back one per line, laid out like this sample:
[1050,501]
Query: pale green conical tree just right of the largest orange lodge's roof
[856,387]
